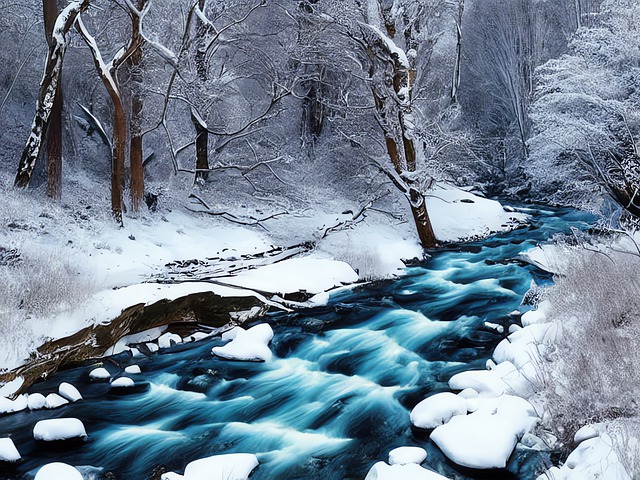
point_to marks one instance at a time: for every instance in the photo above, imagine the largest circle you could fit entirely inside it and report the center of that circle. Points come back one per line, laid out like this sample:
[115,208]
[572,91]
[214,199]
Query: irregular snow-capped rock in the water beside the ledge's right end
[248,345]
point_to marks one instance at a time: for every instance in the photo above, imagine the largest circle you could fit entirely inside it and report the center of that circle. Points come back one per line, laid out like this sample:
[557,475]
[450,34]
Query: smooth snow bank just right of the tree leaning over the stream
[460,215]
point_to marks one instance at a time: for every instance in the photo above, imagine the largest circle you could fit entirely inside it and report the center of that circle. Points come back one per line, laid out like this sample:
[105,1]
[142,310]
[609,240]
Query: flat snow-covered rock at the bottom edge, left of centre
[232,466]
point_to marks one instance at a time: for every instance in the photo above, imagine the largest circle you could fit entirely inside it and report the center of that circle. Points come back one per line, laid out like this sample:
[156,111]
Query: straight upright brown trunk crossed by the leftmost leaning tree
[54,132]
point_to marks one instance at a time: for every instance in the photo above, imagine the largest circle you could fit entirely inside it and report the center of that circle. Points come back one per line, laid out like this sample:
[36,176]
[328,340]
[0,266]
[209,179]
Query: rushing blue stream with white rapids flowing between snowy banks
[335,399]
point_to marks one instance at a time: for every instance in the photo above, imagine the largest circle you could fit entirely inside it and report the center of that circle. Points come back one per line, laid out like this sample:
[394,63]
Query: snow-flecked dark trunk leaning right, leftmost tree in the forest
[49,88]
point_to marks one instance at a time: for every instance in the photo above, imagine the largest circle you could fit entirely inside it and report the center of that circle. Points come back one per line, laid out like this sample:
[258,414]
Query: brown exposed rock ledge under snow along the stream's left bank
[205,308]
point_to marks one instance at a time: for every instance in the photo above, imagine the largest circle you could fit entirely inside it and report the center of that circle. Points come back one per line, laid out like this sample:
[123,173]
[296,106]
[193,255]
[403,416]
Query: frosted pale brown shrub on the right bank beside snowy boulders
[595,374]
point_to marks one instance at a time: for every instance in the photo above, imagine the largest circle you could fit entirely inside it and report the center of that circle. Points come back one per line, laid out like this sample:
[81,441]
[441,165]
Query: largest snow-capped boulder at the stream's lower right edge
[478,440]
